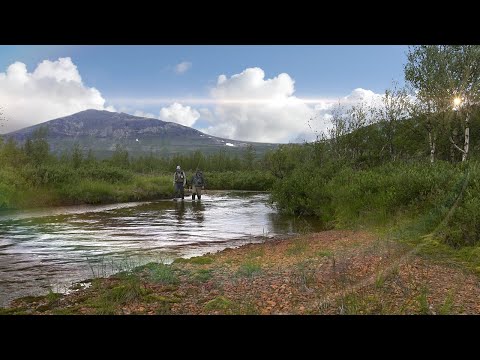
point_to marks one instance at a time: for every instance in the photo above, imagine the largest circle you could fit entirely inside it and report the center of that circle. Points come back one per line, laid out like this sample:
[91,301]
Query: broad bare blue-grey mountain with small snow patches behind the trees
[102,131]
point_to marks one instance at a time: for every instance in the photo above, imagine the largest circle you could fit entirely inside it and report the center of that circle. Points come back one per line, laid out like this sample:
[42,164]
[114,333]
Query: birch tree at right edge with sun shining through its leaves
[445,78]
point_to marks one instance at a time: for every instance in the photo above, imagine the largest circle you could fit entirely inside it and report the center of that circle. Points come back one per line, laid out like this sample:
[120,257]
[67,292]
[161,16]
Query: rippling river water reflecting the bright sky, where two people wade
[52,248]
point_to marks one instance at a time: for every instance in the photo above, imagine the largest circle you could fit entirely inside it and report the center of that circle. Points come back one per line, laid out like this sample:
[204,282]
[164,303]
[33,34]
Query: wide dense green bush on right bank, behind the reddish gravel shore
[349,196]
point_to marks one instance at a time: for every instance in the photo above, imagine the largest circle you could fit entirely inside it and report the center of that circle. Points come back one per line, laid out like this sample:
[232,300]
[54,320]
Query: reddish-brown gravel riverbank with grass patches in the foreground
[331,272]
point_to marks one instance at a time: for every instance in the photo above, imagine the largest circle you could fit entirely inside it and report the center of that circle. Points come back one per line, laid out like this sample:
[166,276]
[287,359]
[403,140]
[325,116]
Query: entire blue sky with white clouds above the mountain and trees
[254,93]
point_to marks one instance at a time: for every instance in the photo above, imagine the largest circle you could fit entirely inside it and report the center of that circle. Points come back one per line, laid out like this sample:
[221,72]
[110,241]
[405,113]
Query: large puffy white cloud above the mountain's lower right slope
[250,107]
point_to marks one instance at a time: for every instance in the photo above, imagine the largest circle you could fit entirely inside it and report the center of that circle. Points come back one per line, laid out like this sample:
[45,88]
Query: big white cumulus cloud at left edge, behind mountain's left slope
[54,89]
